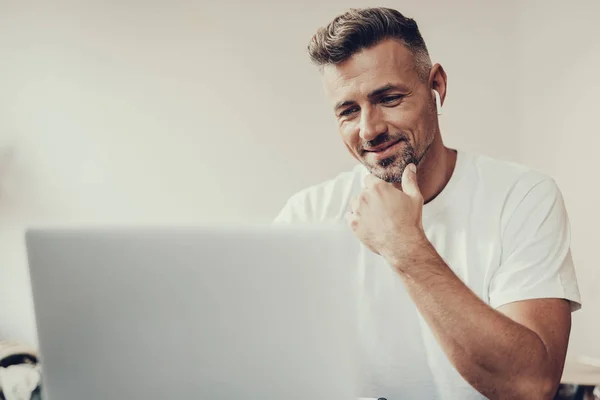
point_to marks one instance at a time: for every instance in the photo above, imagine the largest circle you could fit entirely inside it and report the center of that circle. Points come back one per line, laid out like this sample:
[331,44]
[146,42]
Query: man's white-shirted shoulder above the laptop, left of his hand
[327,200]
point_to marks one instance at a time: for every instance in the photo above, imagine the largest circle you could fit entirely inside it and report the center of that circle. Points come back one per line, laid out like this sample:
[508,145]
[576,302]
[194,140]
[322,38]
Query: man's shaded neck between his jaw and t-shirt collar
[435,169]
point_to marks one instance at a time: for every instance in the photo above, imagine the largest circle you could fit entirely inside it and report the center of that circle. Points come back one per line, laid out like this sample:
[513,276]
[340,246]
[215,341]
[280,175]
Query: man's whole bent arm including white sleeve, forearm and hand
[514,347]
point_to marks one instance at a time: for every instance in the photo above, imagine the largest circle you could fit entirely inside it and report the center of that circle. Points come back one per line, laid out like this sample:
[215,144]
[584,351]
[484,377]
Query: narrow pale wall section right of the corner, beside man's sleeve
[559,57]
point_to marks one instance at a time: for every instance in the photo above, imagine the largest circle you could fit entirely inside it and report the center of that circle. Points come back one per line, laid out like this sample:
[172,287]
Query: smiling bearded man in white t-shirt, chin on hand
[481,247]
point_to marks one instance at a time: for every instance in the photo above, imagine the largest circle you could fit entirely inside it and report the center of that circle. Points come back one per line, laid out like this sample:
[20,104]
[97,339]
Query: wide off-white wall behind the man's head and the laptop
[173,111]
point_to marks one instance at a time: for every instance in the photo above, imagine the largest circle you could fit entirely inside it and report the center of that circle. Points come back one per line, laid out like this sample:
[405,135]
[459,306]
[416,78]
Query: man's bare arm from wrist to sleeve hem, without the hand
[516,351]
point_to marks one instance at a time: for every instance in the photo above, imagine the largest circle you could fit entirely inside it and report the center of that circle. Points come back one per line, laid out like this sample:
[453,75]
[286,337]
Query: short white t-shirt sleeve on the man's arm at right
[536,258]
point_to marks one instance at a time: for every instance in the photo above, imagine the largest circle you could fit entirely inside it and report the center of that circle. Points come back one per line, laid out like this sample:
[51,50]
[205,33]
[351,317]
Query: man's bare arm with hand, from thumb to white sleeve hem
[515,352]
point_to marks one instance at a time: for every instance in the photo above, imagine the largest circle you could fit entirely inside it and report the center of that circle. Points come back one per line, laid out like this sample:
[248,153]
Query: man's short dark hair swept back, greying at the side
[359,29]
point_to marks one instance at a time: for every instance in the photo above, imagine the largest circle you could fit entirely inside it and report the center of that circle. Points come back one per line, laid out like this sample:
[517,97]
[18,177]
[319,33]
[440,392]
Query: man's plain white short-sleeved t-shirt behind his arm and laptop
[501,227]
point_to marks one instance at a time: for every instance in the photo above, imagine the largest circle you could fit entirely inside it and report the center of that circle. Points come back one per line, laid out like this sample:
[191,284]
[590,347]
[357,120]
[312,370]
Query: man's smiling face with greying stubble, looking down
[386,114]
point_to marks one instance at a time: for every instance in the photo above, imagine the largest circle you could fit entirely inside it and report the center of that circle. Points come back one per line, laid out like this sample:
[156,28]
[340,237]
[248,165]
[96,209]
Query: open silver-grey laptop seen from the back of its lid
[214,312]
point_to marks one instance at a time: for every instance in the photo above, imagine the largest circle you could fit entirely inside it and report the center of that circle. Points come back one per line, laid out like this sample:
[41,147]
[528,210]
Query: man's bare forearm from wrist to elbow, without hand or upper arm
[496,355]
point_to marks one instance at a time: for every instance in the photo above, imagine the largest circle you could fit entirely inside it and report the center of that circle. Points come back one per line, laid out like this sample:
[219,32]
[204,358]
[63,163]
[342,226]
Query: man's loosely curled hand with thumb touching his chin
[388,218]
